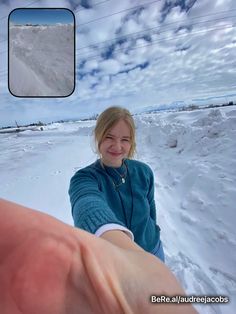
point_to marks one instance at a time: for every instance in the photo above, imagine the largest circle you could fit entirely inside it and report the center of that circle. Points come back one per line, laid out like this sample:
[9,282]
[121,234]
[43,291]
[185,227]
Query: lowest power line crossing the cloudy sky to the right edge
[164,40]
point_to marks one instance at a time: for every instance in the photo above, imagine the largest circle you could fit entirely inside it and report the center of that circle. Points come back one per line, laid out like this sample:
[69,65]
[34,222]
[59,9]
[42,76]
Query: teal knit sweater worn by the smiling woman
[98,197]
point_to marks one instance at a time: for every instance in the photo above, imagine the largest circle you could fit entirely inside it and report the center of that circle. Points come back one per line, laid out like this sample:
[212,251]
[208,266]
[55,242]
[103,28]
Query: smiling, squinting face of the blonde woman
[116,144]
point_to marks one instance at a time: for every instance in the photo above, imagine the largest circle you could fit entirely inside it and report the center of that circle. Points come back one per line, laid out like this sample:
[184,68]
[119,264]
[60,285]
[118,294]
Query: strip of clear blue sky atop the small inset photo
[42,16]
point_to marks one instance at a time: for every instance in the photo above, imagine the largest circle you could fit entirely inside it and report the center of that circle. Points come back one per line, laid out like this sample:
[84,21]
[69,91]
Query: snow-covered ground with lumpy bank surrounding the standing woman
[193,156]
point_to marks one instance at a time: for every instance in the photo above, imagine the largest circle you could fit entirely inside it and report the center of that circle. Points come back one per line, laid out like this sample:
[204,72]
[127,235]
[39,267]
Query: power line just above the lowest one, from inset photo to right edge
[148,29]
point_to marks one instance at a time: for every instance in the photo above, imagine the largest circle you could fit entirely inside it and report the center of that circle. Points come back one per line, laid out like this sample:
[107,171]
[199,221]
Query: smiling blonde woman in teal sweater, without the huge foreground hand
[113,198]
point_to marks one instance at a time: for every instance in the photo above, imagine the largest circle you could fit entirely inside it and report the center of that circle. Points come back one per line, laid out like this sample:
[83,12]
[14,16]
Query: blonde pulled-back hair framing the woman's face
[107,119]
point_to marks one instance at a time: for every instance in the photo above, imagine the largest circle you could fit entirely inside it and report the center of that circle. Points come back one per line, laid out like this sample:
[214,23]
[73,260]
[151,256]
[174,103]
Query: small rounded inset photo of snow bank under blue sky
[41,52]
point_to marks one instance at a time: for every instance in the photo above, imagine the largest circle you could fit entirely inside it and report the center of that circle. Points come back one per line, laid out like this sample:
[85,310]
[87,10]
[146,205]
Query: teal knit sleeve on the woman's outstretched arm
[90,210]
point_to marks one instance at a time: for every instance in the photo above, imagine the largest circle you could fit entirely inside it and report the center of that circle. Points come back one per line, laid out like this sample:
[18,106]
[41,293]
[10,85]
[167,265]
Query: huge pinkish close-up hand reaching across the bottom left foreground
[49,267]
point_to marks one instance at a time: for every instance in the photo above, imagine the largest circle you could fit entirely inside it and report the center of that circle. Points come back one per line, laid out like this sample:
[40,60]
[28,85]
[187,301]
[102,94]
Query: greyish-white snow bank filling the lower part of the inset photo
[41,60]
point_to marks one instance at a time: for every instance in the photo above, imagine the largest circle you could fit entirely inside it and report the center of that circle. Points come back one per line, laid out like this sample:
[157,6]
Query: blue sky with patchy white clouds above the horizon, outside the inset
[134,53]
